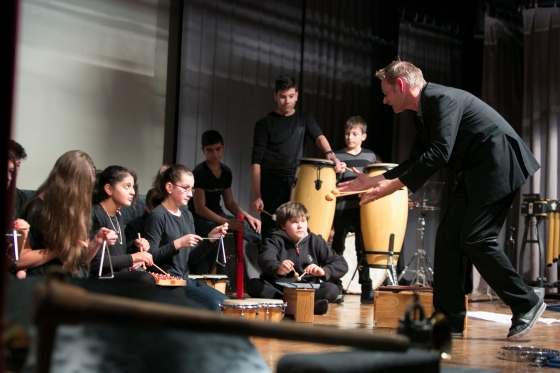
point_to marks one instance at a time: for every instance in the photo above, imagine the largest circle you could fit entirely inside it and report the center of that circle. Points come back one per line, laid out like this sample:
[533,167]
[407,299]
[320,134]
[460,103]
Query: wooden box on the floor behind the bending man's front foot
[389,306]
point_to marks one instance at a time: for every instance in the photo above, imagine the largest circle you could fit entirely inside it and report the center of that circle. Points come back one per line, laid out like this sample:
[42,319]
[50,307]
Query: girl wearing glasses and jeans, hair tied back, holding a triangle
[170,232]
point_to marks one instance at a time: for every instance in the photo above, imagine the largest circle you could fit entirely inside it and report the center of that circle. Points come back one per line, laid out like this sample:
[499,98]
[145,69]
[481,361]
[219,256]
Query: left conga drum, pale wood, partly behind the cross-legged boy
[315,178]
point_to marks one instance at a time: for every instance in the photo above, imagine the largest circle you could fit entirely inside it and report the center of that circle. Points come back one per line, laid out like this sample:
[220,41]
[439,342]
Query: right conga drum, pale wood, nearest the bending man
[380,219]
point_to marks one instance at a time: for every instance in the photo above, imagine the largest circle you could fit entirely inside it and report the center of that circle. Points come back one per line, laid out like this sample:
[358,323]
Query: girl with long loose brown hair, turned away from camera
[59,218]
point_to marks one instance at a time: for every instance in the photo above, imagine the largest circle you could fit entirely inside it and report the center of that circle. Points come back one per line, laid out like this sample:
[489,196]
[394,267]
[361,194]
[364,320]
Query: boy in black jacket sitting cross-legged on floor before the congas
[294,254]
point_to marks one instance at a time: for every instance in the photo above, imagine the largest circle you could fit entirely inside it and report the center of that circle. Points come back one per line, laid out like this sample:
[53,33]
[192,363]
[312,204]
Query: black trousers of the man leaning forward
[468,231]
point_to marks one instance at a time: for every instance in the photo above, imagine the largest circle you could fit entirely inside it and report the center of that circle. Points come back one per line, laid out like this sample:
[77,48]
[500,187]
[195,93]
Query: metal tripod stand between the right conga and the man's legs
[423,274]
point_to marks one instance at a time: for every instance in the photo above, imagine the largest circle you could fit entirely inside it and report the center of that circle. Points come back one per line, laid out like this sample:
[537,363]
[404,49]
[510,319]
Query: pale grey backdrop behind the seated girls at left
[91,75]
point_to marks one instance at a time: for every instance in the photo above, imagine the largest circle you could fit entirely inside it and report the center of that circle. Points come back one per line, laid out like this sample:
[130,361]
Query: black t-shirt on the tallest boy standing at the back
[278,141]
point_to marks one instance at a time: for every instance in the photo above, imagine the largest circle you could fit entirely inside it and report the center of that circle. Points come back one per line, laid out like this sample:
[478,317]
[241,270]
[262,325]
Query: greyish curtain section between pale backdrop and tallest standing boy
[232,53]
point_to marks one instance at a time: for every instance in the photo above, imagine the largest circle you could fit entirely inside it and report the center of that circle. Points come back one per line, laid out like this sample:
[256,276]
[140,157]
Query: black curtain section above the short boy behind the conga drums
[342,50]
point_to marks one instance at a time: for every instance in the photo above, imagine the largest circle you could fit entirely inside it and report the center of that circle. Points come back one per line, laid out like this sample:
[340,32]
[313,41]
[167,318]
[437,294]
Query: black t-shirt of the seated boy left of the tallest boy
[213,187]
